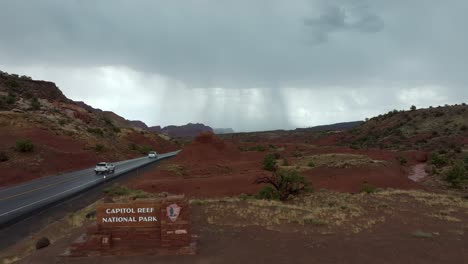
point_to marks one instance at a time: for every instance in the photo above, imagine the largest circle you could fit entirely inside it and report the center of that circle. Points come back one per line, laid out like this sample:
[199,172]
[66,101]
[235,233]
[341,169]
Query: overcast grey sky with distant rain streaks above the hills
[248,65]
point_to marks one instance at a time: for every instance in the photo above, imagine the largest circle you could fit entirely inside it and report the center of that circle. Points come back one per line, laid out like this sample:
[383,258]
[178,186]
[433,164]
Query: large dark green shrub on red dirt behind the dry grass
[286,183]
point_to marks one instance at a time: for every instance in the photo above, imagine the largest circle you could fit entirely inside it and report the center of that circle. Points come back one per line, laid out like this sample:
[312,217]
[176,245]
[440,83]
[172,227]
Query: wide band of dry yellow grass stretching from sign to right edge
[329,211]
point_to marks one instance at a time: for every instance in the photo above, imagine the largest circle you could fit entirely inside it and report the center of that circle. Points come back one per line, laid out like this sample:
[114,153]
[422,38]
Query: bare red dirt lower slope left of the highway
[55,154]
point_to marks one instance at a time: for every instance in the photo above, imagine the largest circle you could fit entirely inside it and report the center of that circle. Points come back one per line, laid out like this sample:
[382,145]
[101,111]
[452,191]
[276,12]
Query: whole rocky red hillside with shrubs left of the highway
[41,128]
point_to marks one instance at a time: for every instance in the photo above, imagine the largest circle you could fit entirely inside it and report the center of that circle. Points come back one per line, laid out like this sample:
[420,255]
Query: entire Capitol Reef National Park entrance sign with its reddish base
[156,226]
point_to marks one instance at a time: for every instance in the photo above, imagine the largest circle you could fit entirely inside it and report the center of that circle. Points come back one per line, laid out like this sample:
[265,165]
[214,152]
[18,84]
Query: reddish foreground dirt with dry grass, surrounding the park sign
[325,227]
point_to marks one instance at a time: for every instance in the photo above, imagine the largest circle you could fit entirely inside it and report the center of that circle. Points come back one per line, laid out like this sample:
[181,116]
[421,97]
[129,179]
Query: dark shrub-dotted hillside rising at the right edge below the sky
[426,129]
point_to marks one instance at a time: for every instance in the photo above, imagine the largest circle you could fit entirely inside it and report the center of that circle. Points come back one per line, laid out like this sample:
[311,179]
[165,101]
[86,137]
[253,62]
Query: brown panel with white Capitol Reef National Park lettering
[137,214]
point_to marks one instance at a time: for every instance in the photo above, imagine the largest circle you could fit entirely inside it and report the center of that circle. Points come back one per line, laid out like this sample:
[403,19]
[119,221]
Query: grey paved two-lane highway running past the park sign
[21,199]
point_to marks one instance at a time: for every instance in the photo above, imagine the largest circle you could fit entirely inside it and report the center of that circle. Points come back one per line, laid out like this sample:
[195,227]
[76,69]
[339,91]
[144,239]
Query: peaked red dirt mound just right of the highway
[209,168]
